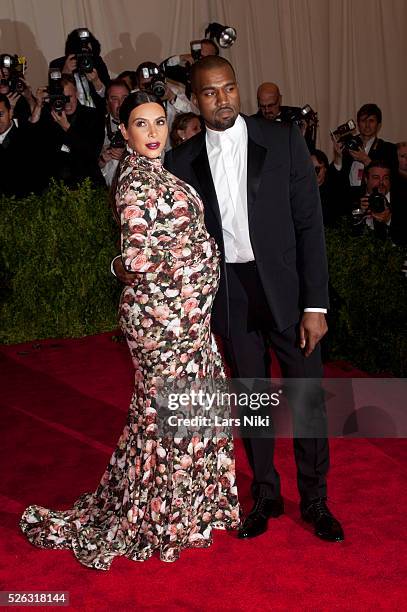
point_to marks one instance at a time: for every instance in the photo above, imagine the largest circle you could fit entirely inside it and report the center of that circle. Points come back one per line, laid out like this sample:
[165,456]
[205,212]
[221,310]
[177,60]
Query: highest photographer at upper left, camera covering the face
[82,60]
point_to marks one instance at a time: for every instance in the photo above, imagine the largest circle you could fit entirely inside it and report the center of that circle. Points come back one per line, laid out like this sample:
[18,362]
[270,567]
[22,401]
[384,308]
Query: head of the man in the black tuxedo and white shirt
[217,97]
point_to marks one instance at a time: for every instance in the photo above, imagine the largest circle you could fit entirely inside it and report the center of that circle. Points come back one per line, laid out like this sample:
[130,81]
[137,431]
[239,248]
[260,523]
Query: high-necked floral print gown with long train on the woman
[157,493]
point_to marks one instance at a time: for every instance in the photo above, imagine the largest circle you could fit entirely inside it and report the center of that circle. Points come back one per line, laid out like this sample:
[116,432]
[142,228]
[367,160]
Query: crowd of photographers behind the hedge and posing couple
[81,138]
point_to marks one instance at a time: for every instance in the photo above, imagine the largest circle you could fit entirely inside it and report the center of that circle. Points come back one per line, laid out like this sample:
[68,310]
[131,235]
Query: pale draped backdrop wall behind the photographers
[332,54]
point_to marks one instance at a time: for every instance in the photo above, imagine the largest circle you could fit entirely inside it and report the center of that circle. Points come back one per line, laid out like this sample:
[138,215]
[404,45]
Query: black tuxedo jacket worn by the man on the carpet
[284,213]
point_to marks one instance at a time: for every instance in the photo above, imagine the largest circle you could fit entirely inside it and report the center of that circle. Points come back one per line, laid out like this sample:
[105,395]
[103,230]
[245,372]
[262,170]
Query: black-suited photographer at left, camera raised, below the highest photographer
[69,136]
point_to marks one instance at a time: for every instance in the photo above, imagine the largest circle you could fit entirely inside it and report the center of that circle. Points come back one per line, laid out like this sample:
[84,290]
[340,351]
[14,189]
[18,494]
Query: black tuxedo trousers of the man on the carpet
[247,352]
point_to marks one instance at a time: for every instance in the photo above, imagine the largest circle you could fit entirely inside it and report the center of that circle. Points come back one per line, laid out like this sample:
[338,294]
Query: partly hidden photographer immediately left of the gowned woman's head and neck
[114,144]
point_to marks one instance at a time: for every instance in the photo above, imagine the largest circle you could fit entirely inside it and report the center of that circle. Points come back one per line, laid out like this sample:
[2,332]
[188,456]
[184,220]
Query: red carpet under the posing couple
[64,404]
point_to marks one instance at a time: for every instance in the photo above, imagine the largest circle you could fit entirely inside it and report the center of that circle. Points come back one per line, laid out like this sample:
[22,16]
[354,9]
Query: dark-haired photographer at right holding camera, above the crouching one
[349,163]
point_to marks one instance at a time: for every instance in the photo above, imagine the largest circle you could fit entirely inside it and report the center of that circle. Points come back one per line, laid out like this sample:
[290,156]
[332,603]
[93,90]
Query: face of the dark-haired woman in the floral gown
[147,130]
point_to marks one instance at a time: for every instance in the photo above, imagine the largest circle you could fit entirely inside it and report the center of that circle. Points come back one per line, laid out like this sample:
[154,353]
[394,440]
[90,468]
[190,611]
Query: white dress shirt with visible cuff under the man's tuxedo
[227,155]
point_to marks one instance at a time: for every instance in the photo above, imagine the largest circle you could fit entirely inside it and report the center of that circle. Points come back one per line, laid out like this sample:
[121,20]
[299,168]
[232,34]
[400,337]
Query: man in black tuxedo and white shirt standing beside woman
[262,207]
